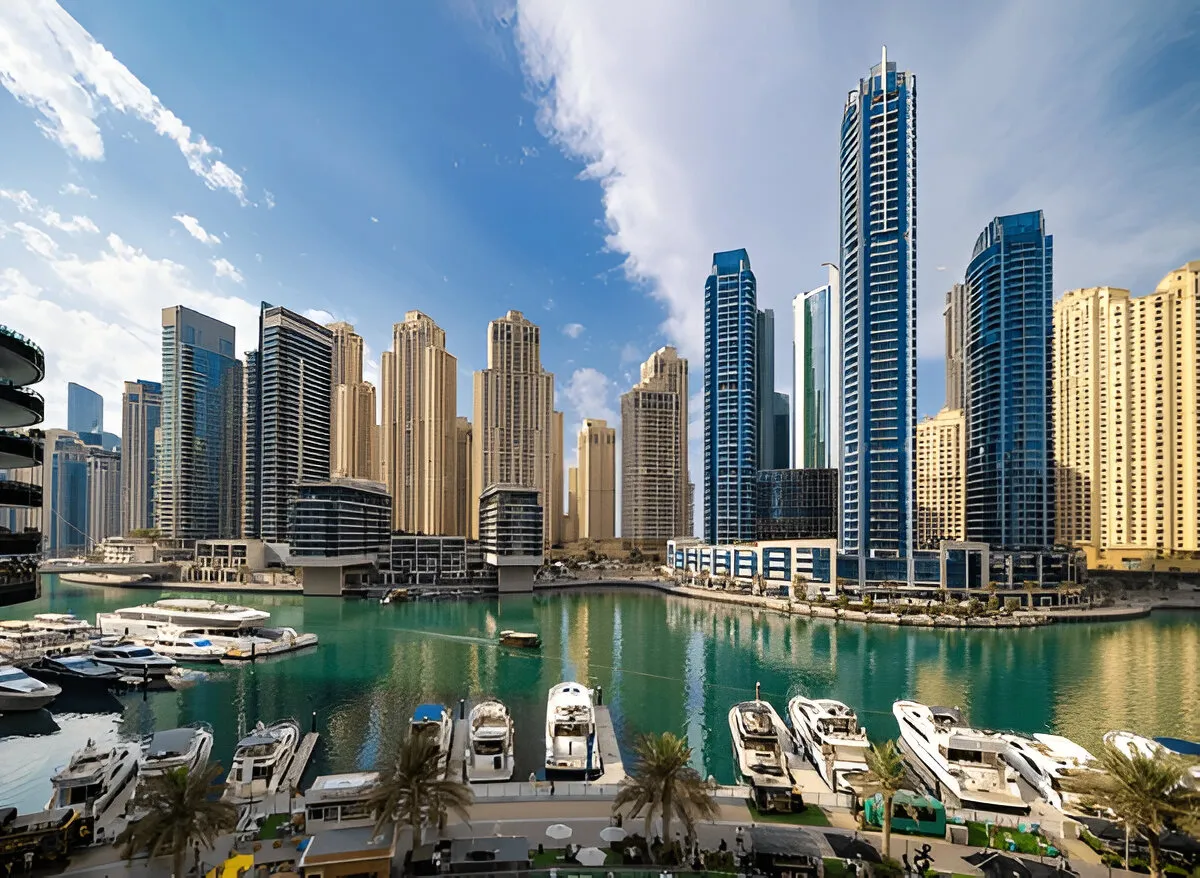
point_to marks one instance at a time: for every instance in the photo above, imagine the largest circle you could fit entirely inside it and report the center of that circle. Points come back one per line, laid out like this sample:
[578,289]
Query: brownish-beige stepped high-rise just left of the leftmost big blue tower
[656,492]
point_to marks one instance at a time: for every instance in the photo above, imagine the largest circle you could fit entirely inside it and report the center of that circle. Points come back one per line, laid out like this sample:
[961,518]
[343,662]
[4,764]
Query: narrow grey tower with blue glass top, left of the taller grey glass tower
[141,418]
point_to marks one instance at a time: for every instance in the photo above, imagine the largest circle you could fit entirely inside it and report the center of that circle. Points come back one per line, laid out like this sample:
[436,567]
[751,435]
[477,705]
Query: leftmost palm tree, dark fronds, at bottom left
[181,809]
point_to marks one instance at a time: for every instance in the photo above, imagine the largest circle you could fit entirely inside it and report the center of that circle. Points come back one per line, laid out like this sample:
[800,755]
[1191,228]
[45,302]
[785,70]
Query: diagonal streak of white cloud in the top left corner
[55,67]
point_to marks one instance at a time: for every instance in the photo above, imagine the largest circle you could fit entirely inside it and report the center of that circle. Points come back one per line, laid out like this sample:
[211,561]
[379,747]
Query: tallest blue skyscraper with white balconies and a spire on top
[879,314]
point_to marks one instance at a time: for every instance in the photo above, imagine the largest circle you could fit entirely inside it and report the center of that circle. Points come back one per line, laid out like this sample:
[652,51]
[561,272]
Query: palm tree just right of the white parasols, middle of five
[664,783]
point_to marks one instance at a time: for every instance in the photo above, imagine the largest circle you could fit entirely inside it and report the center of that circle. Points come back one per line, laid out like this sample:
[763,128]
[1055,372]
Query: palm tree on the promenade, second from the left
[412,791]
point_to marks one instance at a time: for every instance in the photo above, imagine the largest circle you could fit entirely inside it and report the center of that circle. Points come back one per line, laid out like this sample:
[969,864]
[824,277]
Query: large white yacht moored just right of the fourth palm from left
[961,766]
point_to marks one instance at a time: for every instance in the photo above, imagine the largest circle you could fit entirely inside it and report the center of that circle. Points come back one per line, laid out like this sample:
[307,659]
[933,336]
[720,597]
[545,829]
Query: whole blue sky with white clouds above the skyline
[579,163]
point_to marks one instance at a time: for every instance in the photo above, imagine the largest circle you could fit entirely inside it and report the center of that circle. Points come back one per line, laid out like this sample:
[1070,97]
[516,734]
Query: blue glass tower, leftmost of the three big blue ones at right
[731,406]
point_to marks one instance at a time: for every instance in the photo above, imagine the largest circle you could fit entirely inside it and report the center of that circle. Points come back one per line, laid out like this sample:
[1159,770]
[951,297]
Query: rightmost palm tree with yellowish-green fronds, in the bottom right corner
[1144,792]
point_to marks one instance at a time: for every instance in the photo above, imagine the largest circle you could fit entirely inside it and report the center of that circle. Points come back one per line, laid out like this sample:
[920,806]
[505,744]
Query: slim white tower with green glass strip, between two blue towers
[817,358]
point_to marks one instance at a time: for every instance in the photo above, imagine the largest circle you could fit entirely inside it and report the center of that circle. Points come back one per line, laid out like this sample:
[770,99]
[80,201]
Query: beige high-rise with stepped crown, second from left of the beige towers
[419,435]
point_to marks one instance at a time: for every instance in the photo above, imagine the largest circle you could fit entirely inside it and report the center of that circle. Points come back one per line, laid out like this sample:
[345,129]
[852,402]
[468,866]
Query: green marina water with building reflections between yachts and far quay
[664,663]
